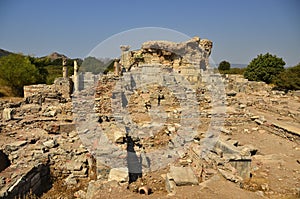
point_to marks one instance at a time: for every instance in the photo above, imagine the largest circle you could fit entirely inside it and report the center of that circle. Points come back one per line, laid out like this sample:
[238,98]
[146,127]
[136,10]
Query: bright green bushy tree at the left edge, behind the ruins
[17,71]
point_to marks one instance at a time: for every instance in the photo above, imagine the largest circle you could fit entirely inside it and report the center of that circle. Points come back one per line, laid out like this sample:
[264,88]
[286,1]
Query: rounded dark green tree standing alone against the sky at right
[264,68]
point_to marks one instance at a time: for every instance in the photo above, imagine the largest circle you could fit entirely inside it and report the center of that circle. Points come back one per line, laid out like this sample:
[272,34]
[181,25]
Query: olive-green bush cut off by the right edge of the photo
[289,79]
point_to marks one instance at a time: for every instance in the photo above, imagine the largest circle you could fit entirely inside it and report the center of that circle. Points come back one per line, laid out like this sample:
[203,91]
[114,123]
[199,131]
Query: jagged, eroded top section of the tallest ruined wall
[187,58]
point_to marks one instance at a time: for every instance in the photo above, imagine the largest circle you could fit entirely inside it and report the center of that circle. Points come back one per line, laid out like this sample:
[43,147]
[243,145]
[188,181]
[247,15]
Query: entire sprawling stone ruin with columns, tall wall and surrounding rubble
[53,134]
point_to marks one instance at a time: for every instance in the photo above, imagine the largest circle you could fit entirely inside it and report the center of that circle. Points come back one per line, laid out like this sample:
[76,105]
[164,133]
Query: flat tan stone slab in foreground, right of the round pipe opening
[183,176]
